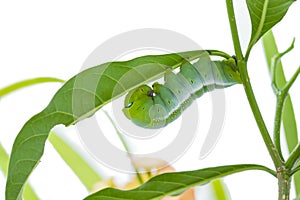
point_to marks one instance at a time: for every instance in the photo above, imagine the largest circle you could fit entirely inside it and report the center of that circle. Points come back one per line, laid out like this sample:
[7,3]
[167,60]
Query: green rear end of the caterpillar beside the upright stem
[231,70]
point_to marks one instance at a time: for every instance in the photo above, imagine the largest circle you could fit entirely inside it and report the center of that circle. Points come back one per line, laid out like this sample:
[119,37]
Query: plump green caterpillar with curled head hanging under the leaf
[160,105]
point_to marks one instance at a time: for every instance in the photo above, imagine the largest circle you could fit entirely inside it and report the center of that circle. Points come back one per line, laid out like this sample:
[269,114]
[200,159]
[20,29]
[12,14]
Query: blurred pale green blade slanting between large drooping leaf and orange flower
[87,175]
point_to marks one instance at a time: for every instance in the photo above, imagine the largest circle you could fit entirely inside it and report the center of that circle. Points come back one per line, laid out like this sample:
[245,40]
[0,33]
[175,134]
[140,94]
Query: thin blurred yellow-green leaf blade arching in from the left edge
[26,83]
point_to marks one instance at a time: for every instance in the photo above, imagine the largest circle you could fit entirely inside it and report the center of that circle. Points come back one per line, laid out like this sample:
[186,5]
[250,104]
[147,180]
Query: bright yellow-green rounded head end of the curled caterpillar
[136,104]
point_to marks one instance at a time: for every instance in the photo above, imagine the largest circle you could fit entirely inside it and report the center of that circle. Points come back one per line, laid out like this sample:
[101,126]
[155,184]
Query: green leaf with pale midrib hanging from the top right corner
[264,15]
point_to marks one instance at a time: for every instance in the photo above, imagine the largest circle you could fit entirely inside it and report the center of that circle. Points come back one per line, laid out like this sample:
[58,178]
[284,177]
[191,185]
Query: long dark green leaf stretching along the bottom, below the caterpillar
[170,183]
